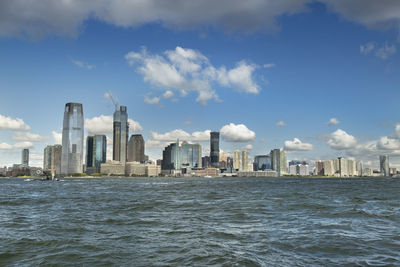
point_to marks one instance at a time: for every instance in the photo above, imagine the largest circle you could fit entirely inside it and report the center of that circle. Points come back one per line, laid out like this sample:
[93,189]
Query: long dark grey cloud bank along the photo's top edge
[38,18]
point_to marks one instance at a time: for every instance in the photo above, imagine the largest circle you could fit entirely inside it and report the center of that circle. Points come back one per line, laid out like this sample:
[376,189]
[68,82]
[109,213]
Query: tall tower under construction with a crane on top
[120,134]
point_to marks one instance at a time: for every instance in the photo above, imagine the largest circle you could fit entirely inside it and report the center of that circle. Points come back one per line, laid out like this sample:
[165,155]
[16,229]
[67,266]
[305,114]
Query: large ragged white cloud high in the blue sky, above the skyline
[187,70]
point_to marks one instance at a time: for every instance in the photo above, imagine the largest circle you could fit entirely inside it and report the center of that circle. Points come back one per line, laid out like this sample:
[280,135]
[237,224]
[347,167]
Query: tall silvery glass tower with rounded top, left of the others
[72,139]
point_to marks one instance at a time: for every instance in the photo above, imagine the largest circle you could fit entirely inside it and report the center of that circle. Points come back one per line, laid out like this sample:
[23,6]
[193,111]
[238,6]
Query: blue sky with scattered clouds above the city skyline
[319,79]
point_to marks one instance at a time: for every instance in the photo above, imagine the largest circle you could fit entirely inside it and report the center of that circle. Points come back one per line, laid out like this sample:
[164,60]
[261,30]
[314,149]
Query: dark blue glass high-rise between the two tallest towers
[96,152]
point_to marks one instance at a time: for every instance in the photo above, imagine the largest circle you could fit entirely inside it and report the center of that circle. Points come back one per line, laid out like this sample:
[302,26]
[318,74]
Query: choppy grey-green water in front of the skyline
[199,222]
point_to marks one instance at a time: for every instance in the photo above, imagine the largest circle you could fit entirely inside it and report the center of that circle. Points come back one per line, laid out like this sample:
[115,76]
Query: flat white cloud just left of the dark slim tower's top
[180,134]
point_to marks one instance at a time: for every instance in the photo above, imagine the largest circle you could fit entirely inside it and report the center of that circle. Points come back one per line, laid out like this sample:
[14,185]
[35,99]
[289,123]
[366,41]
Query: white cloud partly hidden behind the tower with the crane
[104,124]
